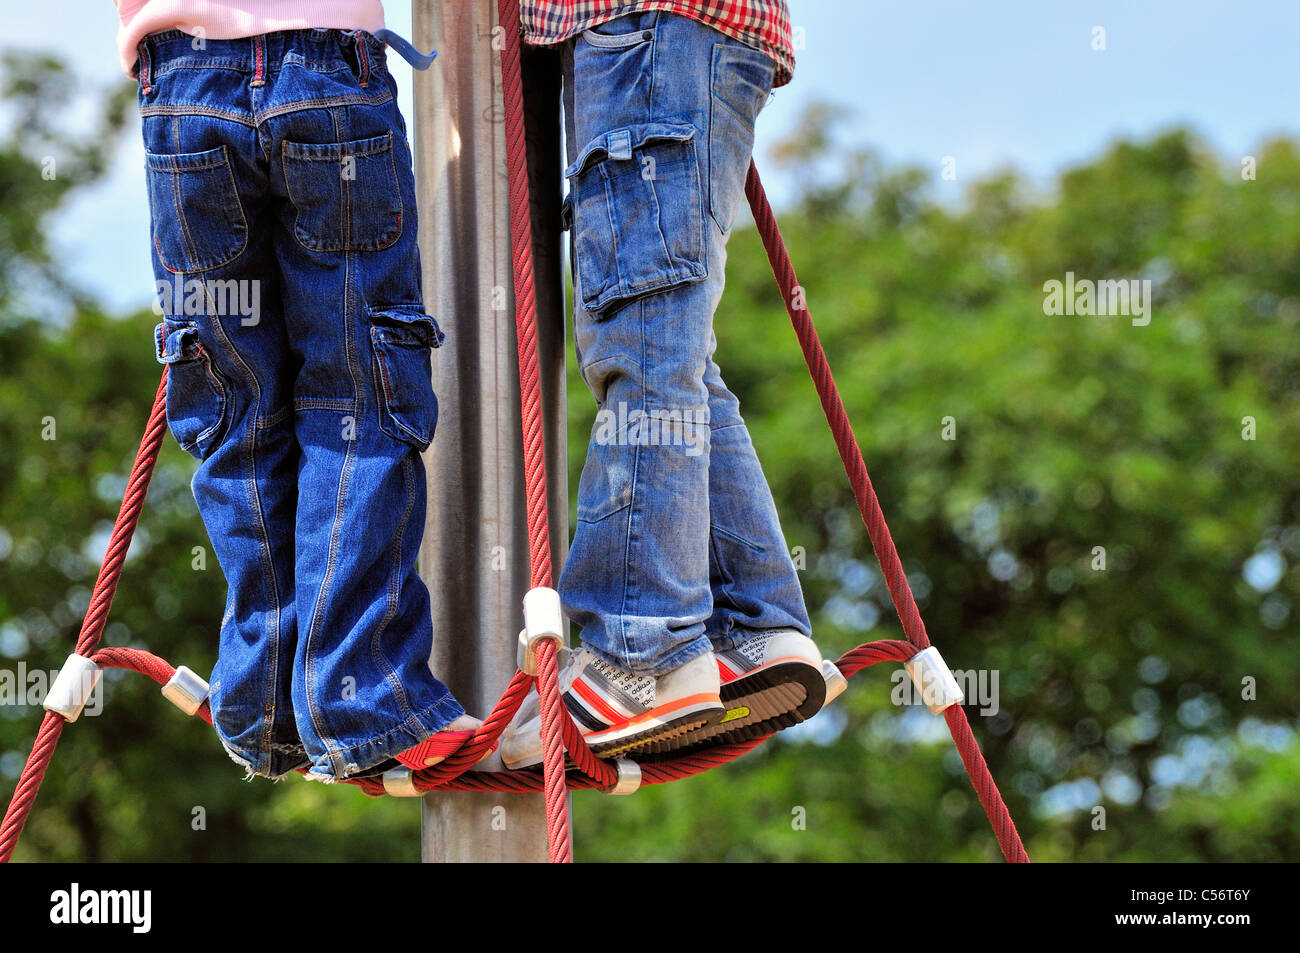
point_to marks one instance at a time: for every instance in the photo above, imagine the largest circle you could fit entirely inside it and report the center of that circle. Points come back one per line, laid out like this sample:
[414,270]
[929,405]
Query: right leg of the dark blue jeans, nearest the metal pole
[363,401]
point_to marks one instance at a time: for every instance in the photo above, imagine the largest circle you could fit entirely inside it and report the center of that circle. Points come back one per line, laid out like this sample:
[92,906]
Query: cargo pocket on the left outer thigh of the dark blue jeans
[196,392]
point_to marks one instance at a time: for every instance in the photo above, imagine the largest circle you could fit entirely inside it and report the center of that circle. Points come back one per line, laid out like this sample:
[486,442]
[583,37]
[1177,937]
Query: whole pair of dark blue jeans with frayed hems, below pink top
[284,231]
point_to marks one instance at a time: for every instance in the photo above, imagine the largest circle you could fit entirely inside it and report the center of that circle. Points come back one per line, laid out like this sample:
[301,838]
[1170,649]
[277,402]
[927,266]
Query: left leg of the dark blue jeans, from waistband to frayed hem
[223,339]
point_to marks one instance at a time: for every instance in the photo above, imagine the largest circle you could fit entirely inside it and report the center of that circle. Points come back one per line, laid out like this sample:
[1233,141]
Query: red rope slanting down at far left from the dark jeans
[93,626]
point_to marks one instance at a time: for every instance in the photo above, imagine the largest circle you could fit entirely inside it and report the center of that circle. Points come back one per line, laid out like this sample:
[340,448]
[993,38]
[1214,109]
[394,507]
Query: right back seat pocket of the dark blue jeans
[345,194]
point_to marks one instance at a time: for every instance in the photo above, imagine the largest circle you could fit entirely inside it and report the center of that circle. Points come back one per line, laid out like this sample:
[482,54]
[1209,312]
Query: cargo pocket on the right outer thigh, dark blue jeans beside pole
[401,340]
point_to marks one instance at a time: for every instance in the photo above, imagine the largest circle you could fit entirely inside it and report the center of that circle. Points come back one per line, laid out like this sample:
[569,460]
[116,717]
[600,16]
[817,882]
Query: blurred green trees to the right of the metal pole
[1113,526]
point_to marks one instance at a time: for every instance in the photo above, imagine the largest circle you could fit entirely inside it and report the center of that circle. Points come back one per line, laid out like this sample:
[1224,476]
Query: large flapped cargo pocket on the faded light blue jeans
[639,223]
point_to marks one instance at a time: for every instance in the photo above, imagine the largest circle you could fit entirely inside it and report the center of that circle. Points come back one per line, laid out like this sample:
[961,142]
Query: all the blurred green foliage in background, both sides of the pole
[1119,688]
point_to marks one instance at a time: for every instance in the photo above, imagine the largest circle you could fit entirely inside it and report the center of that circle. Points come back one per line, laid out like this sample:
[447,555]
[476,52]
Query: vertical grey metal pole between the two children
[475,553]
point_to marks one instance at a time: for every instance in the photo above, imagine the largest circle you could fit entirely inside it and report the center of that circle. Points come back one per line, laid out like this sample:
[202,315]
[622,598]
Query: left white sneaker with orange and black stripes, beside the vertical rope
[618,713]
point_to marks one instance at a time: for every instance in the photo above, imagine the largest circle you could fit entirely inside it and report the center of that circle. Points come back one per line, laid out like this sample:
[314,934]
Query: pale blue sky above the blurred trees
[994,84]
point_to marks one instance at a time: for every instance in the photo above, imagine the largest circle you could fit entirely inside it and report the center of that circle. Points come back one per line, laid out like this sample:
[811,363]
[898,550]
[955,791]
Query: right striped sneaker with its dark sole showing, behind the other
[770,682]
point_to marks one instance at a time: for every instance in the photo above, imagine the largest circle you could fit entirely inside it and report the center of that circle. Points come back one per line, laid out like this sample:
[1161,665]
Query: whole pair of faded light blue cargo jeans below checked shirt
[678,547]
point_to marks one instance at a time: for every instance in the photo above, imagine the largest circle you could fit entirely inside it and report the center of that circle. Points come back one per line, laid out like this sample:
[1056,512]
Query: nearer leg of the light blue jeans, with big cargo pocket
[636,579]
